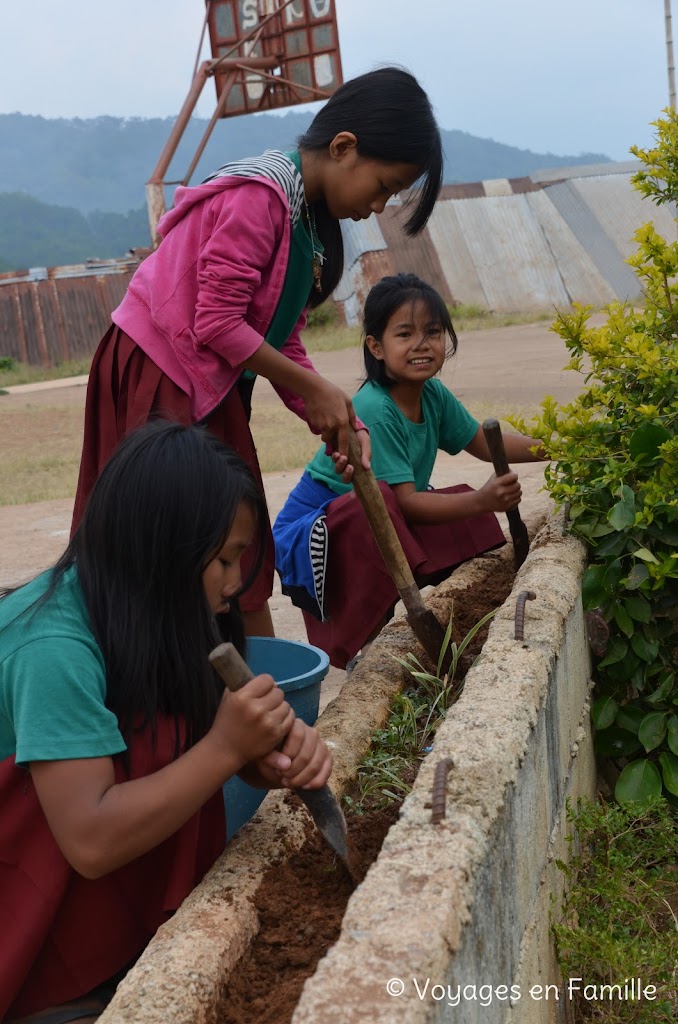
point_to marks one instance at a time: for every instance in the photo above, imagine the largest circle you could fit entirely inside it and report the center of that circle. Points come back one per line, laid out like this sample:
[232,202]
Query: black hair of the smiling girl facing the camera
[385,300]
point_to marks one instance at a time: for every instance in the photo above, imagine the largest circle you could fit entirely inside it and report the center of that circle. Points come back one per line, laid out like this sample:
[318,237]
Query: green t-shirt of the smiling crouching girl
[404,452]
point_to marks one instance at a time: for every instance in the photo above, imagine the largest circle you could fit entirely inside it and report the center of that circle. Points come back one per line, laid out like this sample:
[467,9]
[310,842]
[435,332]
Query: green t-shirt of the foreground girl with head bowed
[53,678]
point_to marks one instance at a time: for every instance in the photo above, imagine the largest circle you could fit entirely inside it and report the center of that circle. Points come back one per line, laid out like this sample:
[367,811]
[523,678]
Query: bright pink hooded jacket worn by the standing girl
[201,305]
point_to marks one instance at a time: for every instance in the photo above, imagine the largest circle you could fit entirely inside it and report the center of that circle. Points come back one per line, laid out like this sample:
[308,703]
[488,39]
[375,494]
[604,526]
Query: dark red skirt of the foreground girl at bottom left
[63,935]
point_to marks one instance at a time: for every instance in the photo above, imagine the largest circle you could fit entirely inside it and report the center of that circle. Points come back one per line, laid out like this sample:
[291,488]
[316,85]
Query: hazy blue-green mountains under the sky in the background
[58,177]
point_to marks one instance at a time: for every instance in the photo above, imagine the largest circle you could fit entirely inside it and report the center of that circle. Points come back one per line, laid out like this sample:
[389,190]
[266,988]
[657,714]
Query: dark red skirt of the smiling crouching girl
[360,592]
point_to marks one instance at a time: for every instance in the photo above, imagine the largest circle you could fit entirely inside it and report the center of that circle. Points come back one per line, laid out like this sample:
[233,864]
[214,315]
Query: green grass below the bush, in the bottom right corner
[620,916]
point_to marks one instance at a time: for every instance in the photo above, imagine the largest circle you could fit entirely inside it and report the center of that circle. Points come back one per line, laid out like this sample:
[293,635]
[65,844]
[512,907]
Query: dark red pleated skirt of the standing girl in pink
[125,391]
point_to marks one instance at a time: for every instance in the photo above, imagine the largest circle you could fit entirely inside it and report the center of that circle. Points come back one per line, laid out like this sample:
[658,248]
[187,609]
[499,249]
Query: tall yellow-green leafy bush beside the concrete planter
[615,455]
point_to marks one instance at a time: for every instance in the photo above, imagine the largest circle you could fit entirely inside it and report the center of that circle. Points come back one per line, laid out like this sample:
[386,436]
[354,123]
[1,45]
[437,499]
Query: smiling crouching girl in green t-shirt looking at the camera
[326,556]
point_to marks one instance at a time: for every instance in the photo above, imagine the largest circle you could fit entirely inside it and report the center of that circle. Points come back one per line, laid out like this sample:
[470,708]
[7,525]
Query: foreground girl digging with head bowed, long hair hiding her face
[116,734]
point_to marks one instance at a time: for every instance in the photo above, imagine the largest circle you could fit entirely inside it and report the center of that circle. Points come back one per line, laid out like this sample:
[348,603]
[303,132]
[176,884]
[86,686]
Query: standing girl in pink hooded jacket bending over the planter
[243,258]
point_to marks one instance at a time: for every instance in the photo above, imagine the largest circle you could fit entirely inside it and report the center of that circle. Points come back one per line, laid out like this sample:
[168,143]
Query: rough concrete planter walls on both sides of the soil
[454,916]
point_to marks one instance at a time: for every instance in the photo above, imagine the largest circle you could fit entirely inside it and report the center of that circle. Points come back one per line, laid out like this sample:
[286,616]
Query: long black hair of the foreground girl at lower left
[162,507]
